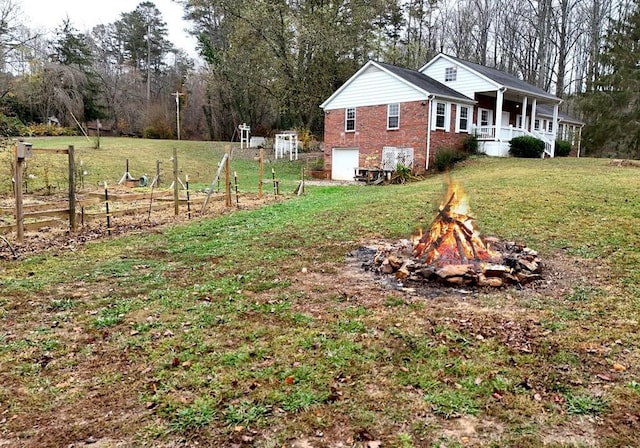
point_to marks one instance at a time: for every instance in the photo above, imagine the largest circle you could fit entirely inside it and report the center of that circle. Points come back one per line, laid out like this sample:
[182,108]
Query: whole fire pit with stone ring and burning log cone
[453,253]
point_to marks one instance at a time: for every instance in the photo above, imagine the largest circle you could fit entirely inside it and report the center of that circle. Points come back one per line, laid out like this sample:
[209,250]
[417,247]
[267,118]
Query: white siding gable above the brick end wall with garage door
[374,87]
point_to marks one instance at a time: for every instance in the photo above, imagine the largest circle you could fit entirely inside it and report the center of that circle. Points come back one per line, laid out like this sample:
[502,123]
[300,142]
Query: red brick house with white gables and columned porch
[384,115]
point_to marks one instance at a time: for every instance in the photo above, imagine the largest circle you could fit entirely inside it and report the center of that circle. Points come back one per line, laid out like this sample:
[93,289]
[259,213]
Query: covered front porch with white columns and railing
[506,113]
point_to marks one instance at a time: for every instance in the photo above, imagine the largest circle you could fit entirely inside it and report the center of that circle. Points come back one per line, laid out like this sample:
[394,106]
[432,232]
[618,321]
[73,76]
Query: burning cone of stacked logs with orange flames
[452,238]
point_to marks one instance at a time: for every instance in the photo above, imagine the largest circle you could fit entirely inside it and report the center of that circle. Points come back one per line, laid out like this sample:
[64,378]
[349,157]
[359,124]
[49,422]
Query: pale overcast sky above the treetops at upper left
[85,14]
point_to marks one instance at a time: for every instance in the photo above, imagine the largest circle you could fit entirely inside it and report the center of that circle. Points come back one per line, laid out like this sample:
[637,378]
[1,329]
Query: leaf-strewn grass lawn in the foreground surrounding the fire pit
[252,329]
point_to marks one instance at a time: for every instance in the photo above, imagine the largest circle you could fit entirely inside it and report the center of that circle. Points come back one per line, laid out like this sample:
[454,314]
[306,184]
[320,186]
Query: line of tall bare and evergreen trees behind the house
[271,63]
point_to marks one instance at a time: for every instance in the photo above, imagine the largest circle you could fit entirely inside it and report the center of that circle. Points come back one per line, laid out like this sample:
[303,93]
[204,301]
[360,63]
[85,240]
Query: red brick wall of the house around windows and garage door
[371,134]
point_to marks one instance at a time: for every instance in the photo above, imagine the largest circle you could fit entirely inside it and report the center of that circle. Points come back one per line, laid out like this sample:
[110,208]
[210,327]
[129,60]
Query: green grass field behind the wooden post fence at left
[48,173]
